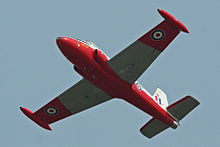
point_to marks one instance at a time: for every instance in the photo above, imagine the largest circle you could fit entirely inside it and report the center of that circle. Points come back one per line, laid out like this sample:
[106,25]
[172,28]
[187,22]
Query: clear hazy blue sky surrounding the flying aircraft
[33,70]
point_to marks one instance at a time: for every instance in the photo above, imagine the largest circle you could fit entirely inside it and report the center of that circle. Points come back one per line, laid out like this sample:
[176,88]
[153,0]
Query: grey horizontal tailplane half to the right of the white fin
[182,107]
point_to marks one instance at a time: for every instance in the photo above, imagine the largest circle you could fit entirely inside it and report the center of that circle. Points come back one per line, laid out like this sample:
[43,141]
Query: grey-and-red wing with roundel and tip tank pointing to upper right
[136,58]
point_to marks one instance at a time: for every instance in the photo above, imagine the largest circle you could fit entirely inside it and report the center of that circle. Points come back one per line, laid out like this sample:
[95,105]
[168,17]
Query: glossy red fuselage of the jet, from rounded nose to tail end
[82,56]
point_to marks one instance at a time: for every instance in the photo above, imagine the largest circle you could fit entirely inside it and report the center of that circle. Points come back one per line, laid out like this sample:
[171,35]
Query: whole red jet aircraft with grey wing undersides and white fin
[105,79]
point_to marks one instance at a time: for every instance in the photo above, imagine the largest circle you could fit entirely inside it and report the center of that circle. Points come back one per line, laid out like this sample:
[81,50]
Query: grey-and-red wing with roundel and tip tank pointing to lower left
[79,97]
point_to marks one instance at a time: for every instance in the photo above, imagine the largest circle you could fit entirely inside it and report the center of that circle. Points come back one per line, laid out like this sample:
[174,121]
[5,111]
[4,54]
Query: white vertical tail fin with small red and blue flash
[161,98]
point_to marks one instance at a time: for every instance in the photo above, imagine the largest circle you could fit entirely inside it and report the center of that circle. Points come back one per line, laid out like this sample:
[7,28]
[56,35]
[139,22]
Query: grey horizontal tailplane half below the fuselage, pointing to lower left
[153,127]
